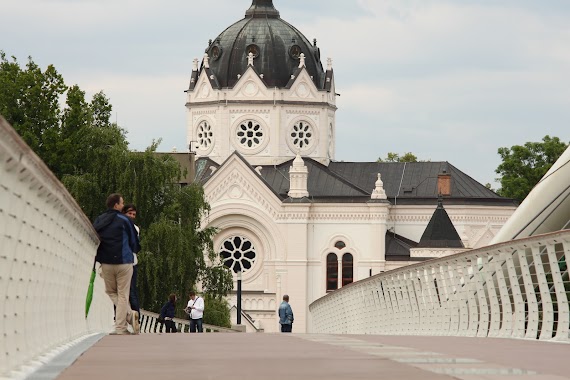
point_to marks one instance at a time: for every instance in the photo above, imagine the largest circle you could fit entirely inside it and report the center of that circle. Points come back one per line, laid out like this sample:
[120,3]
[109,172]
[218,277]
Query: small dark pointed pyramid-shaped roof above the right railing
[440,232]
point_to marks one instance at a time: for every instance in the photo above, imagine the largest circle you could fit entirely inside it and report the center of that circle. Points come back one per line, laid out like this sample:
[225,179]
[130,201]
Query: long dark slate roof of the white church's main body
[353,182]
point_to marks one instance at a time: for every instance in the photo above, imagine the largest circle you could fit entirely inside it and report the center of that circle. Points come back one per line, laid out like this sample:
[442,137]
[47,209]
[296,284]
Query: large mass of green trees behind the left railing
[89,154]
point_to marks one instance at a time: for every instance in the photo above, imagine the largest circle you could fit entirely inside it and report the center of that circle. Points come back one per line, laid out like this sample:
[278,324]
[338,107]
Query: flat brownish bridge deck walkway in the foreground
[300,356]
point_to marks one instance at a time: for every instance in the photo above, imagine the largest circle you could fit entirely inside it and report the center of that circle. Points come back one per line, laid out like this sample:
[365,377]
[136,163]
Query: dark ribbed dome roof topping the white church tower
[276,46]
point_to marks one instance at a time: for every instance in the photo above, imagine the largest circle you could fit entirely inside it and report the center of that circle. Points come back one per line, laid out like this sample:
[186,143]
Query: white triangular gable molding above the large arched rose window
[237,183]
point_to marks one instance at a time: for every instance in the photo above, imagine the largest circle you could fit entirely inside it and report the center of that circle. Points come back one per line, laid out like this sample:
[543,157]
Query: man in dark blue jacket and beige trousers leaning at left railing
[119,240]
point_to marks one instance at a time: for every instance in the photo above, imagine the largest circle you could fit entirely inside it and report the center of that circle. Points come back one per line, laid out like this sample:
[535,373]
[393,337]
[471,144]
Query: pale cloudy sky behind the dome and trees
[448,80]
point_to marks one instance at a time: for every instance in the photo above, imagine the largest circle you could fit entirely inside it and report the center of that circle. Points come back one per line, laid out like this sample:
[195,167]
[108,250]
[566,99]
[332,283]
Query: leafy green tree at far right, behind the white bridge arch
[523,166]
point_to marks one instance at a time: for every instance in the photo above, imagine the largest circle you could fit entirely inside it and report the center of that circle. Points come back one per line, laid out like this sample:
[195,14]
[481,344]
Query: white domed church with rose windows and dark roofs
[261,118]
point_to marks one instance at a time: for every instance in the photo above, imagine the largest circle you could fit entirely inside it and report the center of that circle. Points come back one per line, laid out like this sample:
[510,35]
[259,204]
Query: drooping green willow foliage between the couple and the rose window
[174,252]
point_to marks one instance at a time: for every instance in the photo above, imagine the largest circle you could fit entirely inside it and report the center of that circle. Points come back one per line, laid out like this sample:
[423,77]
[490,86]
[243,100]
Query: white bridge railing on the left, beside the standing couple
[47,247]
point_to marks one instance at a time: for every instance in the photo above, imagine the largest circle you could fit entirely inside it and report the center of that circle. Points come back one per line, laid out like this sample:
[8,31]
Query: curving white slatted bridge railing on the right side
[516,289]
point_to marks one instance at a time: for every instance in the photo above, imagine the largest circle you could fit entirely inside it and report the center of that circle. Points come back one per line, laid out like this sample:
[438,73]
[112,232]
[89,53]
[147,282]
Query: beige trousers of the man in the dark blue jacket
[117,279]
